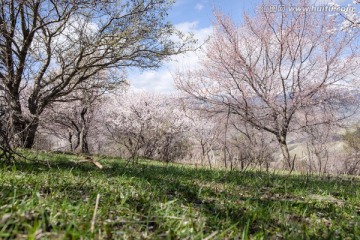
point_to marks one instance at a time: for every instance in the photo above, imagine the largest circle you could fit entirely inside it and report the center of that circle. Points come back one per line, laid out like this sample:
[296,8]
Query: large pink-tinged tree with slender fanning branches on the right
[270,67]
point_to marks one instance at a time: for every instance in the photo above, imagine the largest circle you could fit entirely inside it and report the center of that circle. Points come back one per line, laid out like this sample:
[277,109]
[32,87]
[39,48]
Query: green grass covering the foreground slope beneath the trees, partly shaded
[151,200]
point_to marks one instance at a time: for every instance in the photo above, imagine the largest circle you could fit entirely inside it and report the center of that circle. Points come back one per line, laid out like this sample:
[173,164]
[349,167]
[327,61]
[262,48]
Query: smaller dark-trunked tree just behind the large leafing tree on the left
[77,119]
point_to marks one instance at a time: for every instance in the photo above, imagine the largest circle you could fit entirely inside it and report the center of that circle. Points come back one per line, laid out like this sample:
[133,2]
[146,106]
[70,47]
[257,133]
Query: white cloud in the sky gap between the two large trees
[161,80]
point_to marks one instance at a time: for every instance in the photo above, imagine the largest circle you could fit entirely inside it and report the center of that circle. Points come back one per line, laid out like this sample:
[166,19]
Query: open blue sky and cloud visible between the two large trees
[194,16]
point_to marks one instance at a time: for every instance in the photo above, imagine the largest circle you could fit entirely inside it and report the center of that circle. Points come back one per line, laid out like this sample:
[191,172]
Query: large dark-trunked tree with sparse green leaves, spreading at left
[51,47]
